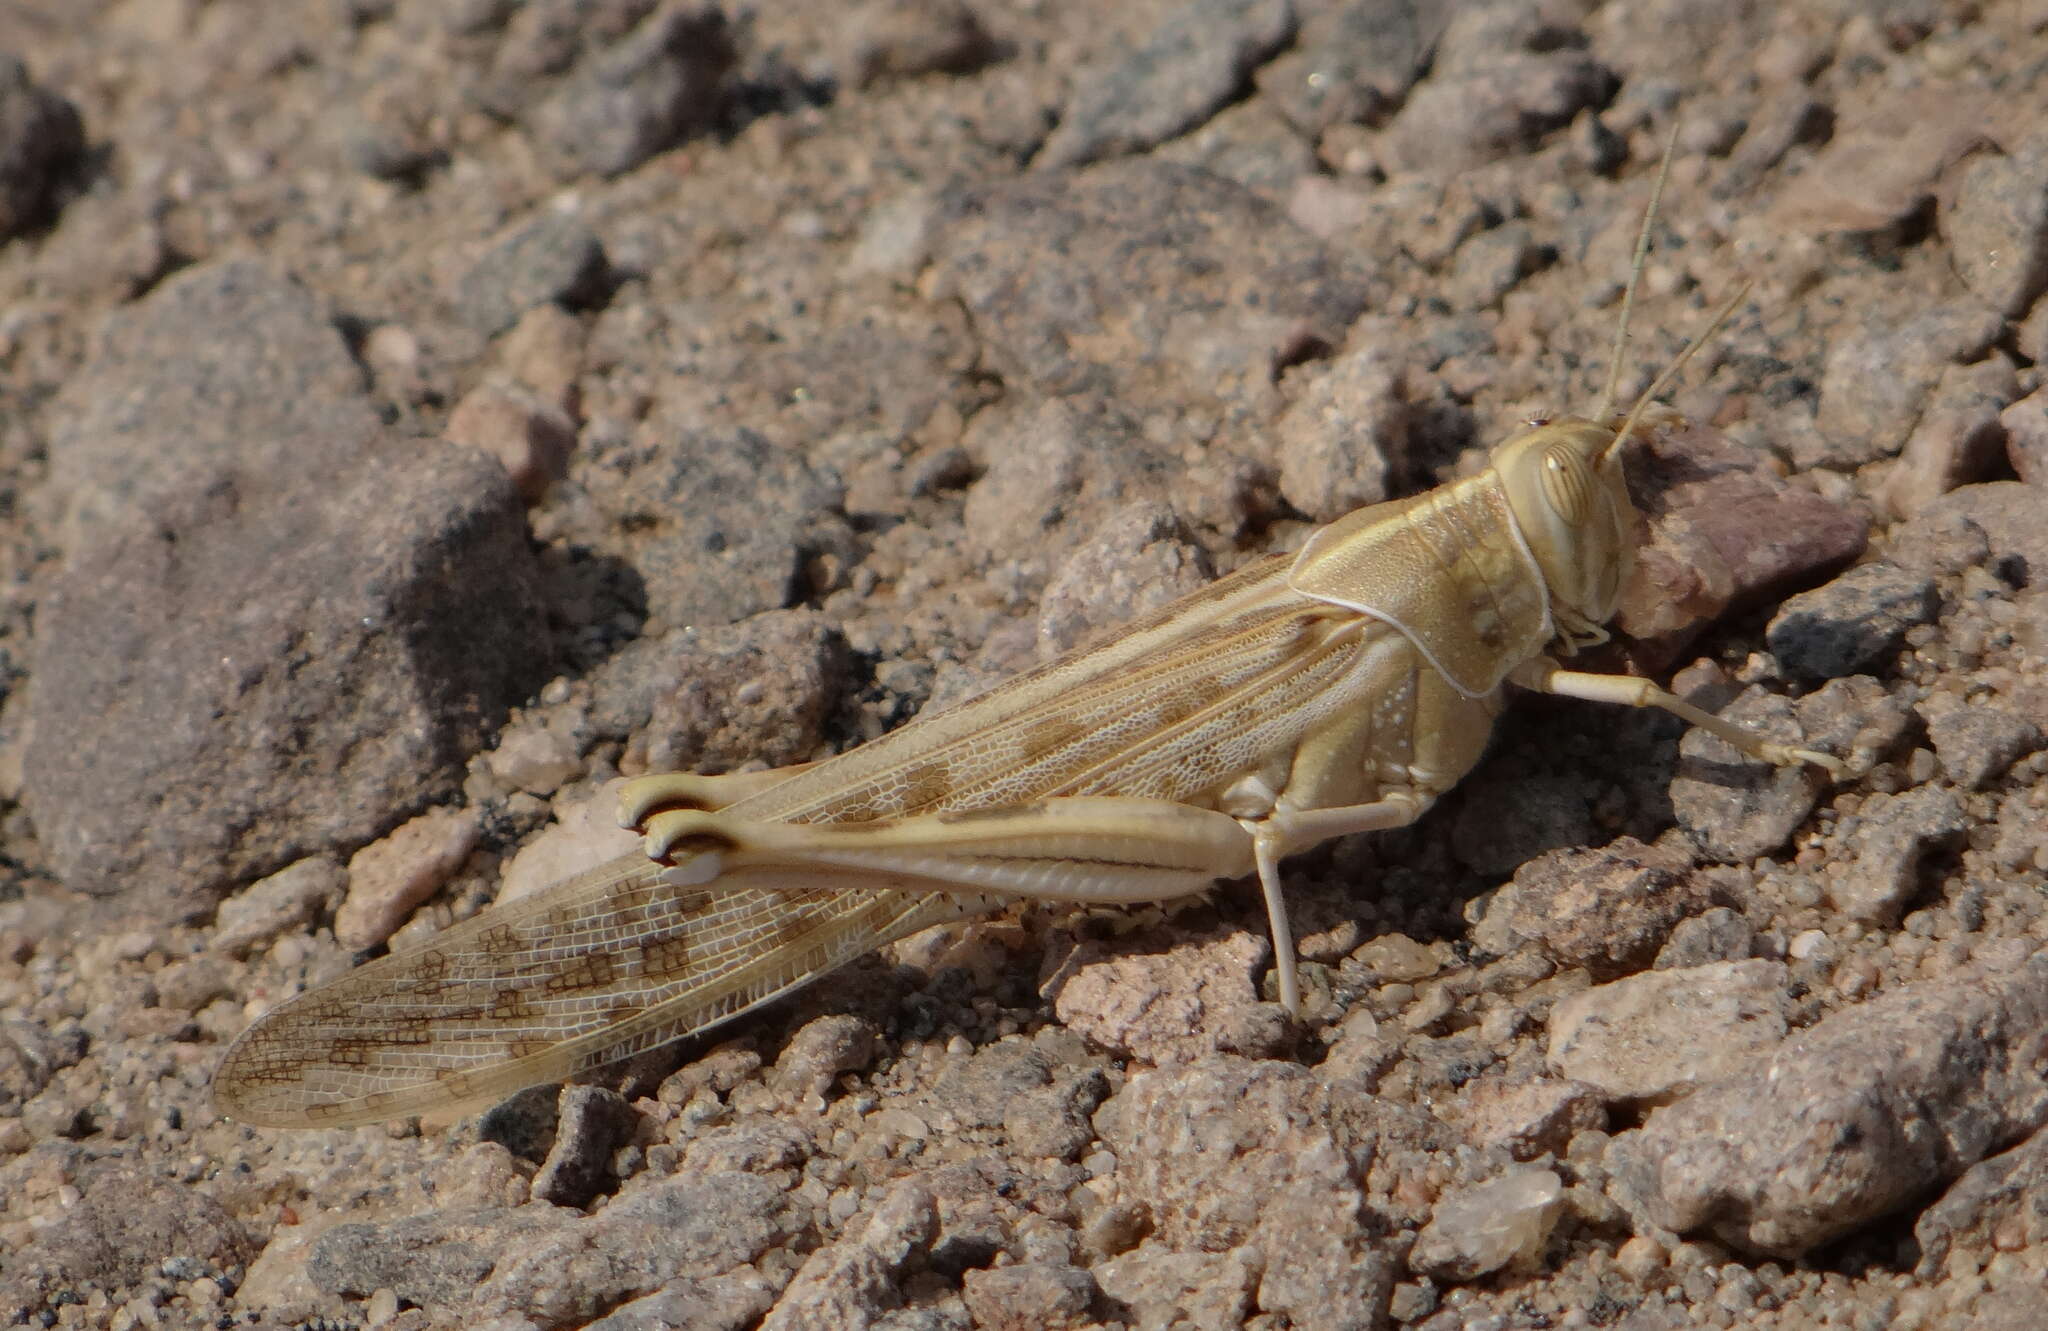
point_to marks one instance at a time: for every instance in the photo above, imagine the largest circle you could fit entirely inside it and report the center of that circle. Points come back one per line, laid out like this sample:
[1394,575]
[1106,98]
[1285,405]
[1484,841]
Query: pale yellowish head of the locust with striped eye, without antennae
[1564,482]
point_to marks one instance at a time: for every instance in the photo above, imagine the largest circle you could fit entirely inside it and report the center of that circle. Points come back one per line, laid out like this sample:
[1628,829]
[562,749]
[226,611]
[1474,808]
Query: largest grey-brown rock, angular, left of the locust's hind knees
[267,658]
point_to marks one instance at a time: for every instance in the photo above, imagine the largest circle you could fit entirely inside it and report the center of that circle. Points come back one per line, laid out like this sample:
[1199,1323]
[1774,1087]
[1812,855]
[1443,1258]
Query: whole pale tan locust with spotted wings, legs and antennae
[1314,695]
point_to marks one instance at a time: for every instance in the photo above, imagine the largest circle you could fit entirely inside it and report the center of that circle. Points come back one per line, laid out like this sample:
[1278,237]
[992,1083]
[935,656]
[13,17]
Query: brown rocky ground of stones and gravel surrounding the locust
[415,417]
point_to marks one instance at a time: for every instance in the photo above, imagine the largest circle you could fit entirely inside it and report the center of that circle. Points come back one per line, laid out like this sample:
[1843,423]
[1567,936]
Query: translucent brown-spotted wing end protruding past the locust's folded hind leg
[599,968]
